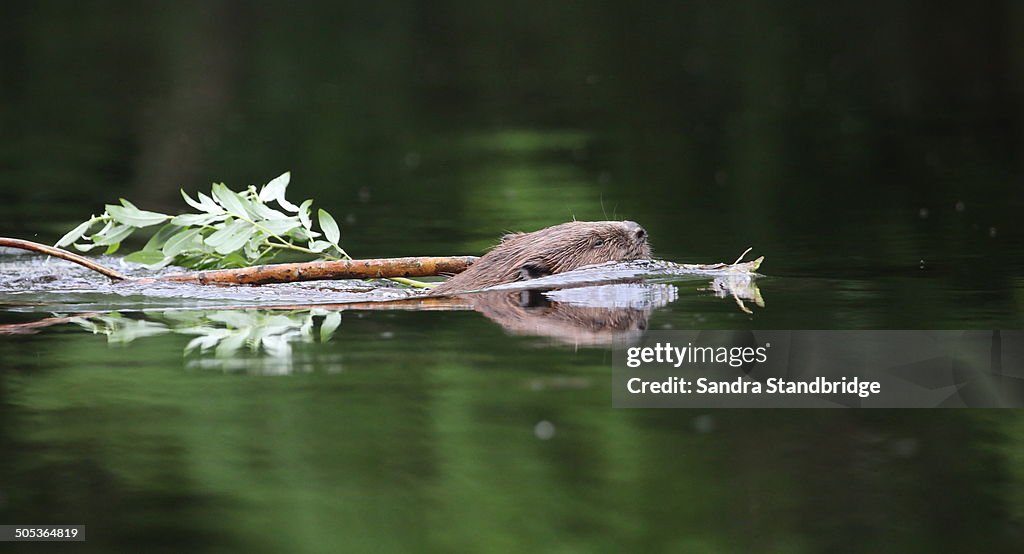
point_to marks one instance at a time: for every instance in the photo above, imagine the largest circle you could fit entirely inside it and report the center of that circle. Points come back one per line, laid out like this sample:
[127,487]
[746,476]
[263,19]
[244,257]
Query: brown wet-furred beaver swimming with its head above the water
[523,257]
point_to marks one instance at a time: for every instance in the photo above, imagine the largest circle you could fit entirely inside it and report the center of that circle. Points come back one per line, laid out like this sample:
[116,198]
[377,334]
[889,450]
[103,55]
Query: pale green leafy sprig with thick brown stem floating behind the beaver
[239,231]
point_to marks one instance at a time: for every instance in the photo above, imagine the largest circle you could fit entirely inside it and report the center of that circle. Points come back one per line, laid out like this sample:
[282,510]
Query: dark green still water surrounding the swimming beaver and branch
[872,154]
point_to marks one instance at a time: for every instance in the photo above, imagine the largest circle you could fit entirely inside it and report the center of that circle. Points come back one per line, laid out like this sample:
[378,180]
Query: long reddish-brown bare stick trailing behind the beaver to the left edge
[282,273]
